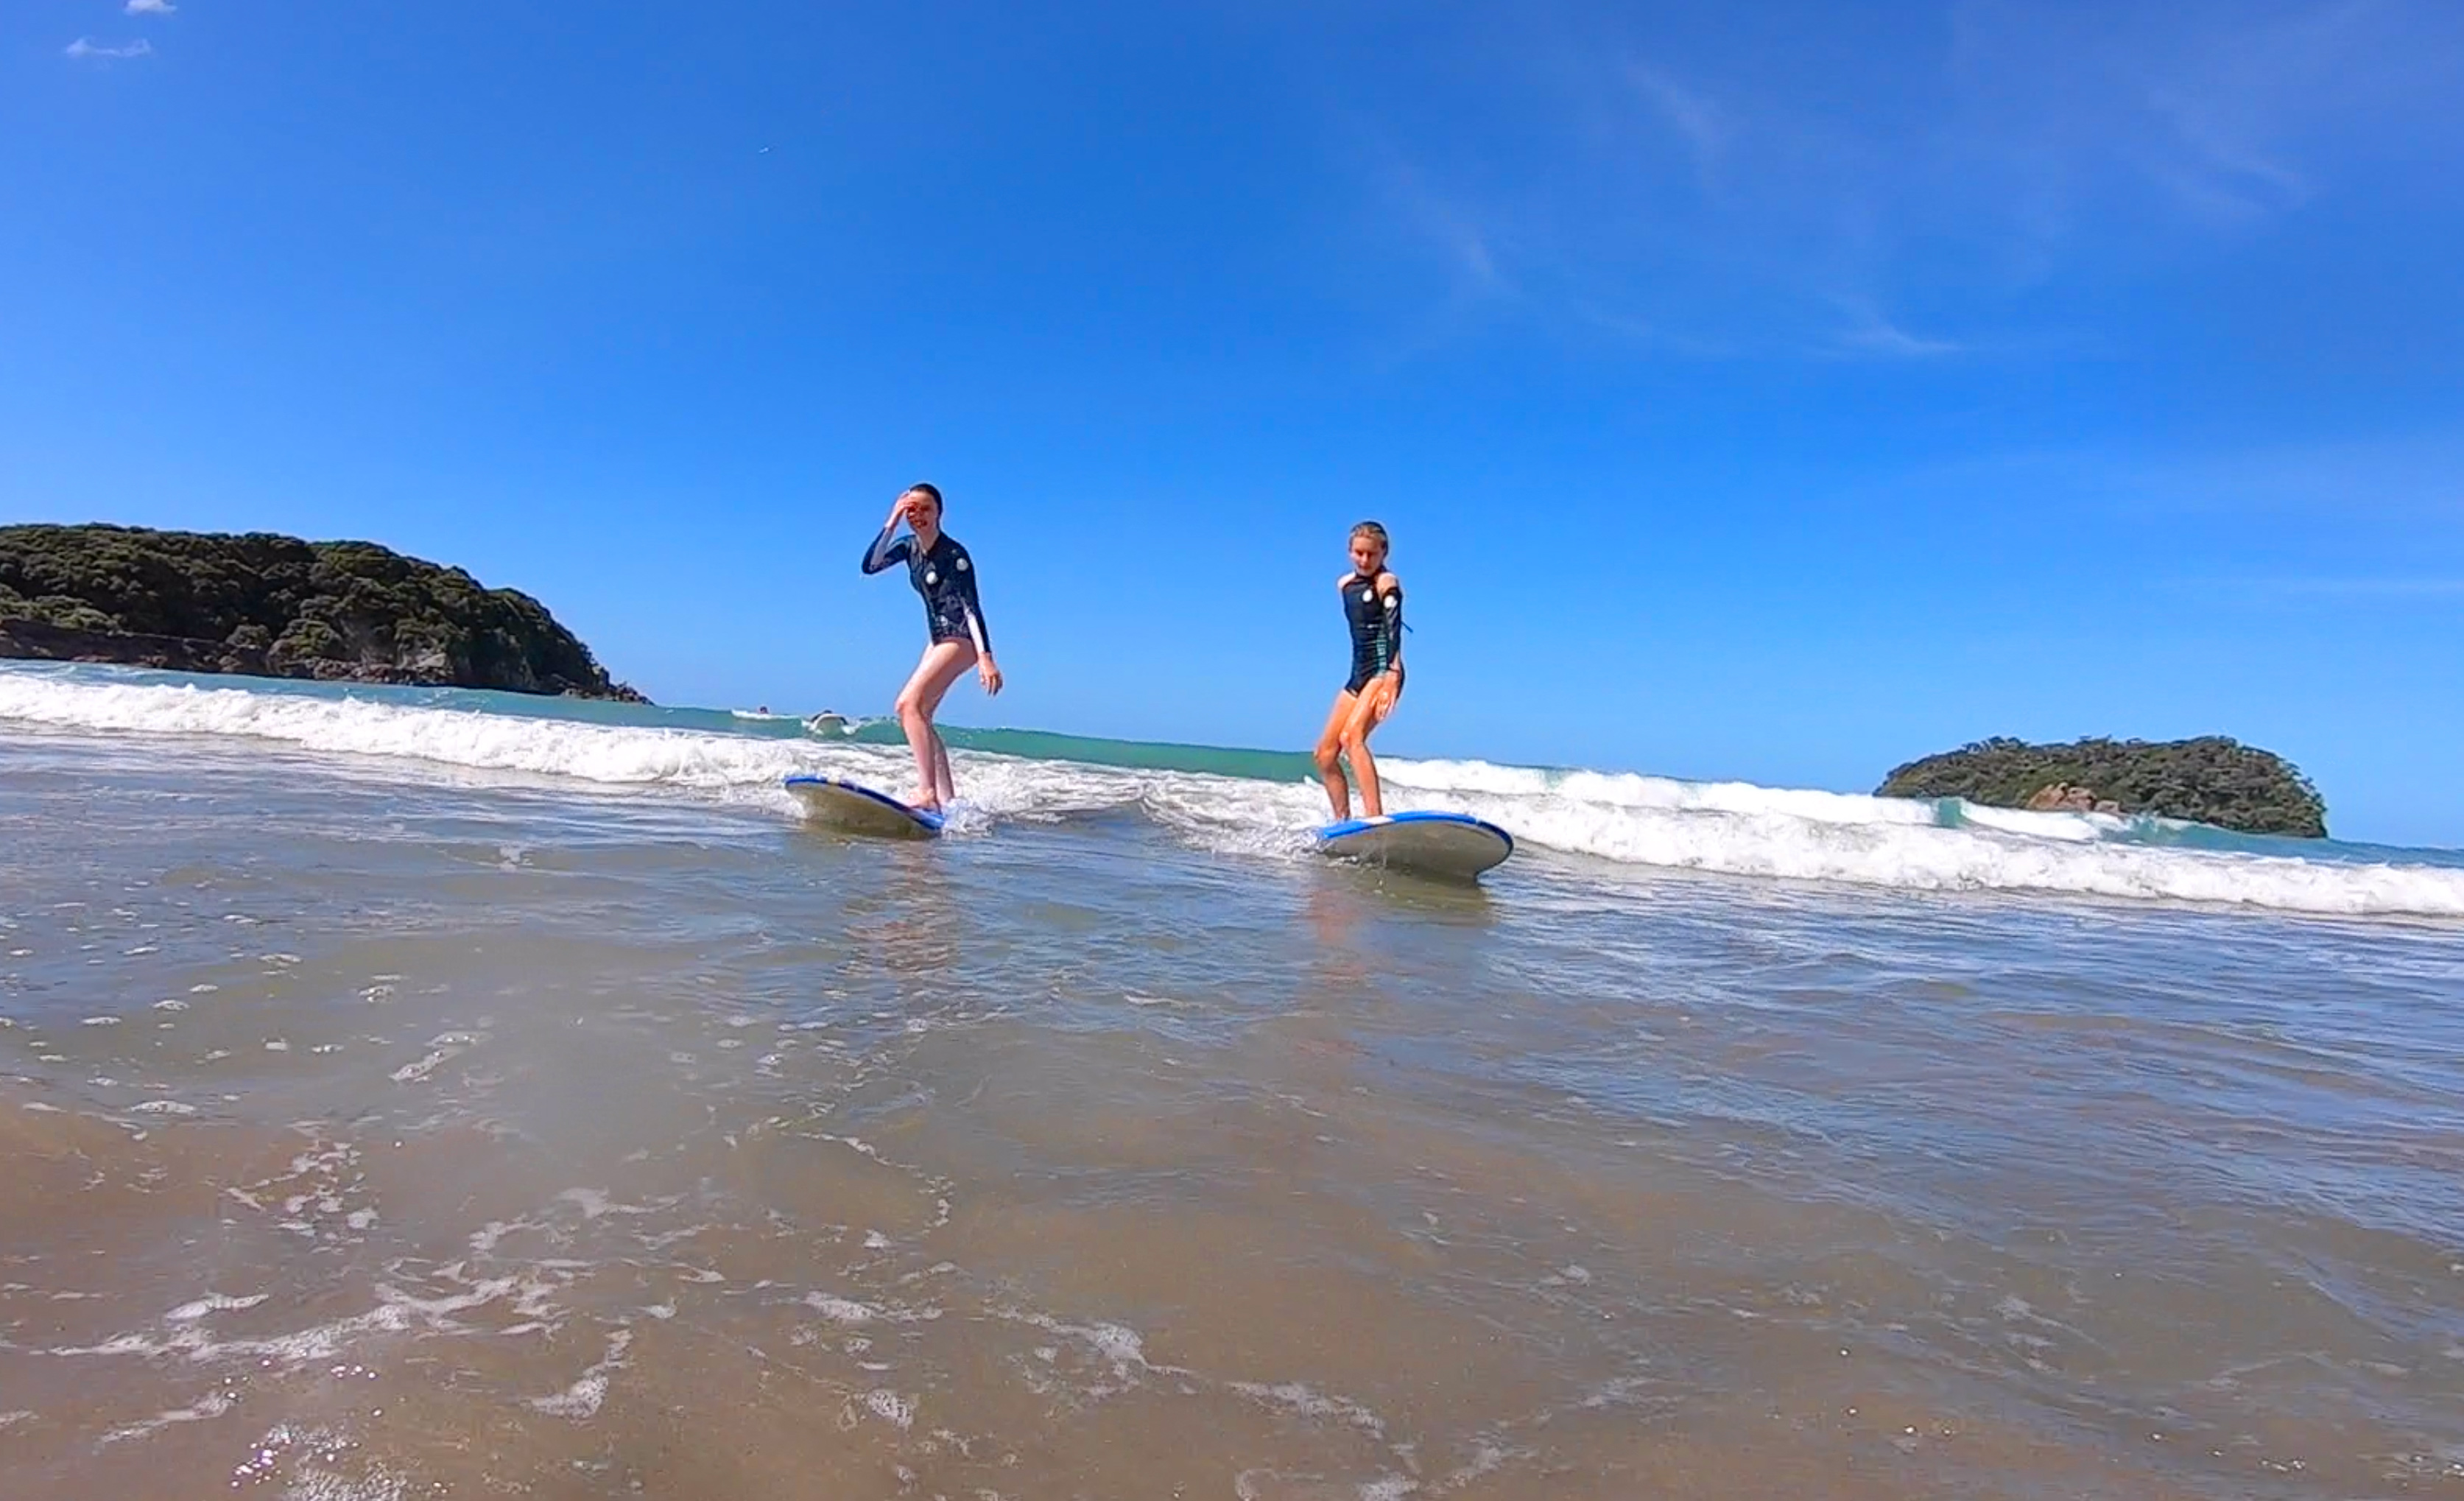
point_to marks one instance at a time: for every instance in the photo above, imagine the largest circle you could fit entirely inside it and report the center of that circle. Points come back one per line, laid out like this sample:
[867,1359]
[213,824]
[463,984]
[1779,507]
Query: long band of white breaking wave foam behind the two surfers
[1652,822]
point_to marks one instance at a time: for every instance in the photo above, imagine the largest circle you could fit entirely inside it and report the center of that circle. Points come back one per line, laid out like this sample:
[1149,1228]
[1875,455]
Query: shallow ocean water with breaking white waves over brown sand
[420,1093]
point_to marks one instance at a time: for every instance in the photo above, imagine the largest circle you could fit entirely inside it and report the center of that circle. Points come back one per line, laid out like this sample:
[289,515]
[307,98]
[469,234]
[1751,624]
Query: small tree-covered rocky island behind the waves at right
[2209,780]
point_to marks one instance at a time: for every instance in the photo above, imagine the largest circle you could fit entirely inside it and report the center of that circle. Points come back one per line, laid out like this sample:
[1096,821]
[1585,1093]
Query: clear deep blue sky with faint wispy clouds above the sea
[1770,391]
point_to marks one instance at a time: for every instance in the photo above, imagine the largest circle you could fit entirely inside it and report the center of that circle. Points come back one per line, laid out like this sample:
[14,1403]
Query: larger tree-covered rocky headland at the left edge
[280,608]
